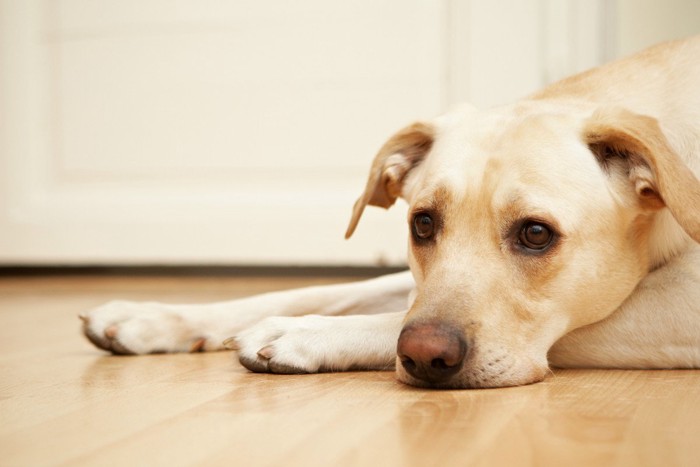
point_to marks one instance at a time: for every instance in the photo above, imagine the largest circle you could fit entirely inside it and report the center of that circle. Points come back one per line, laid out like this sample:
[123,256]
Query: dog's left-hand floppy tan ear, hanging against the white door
[401,153]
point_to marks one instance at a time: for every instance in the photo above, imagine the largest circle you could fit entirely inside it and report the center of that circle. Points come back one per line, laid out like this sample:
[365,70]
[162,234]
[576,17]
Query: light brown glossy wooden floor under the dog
[63,402]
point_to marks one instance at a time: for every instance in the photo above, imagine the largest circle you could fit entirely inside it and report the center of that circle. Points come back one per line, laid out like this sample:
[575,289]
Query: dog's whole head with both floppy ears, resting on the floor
[524,225]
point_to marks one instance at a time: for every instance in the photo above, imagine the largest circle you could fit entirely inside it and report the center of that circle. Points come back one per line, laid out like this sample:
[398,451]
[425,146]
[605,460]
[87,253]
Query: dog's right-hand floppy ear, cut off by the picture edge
[635,143]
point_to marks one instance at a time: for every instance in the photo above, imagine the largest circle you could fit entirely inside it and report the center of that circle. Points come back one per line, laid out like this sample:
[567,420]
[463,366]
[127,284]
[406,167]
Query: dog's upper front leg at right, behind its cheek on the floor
[658,326]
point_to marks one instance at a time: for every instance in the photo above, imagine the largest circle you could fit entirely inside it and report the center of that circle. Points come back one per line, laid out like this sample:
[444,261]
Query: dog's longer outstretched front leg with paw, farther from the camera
[139,328]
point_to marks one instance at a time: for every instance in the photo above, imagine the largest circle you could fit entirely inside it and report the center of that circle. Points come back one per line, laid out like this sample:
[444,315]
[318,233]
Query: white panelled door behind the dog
[162,131]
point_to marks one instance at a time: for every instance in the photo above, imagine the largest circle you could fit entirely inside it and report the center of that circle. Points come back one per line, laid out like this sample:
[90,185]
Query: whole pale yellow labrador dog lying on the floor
[561,230]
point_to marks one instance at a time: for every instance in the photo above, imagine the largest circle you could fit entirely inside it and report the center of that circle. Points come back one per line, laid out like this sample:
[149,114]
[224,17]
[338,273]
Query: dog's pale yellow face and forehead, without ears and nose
[515,239]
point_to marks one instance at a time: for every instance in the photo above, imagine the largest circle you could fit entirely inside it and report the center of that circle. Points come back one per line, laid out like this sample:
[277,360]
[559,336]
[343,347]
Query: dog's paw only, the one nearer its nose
[284,345]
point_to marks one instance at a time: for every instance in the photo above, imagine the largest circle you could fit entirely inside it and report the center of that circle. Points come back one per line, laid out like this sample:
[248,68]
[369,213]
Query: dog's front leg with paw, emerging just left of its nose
[313,343]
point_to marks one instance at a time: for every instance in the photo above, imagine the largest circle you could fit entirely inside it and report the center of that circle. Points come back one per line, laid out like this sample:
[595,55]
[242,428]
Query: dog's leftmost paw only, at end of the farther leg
[129,328]
